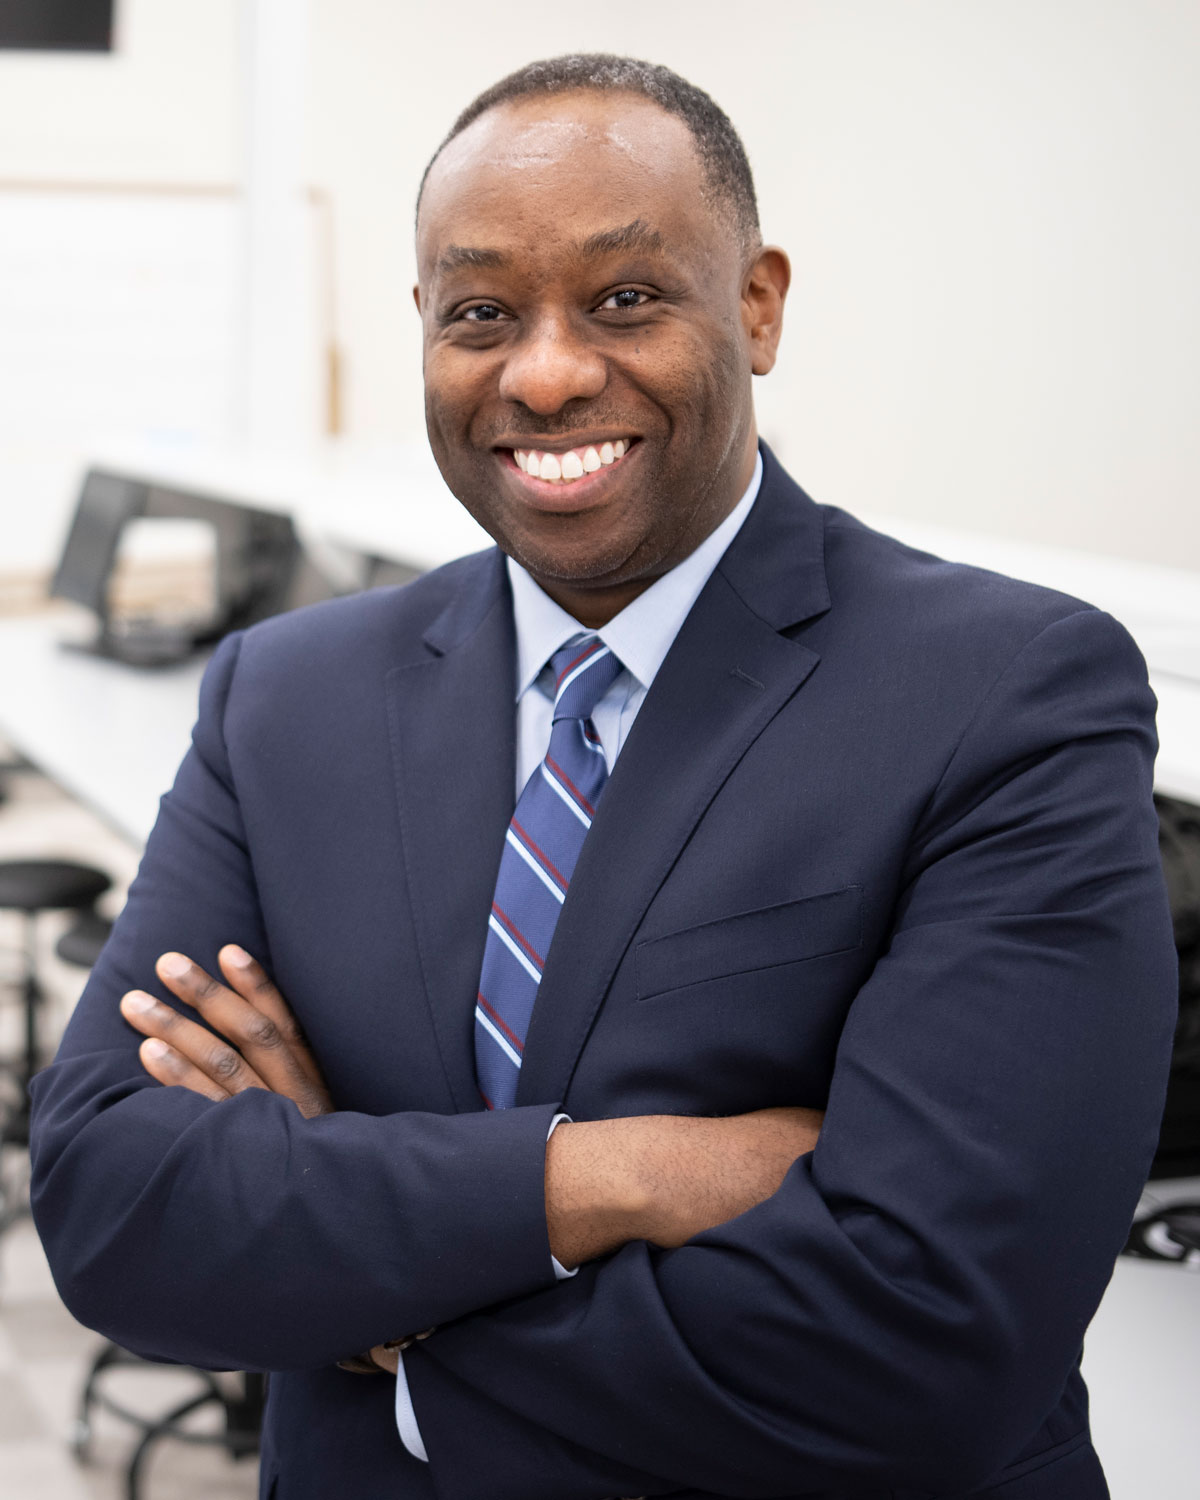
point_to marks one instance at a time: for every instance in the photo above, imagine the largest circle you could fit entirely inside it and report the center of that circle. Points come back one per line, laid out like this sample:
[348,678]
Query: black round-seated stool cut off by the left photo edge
[32,887]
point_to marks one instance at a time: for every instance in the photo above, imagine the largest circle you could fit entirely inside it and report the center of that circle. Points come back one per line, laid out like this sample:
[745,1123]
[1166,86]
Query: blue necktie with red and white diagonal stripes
[541,848]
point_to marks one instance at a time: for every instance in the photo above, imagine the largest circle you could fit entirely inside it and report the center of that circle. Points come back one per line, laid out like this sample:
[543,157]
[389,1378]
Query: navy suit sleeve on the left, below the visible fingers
[239,1235]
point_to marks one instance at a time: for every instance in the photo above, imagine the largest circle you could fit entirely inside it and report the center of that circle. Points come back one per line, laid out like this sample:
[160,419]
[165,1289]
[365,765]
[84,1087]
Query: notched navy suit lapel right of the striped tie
[725,679]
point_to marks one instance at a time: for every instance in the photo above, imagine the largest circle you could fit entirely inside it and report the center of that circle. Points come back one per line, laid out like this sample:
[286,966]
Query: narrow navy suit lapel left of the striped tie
[452,722]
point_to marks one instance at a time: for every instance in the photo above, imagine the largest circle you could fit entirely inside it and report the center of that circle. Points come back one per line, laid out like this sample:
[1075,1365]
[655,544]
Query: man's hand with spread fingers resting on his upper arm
[265,1046]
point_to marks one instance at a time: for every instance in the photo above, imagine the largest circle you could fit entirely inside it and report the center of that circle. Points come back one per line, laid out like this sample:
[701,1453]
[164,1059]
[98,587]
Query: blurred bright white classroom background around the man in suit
[211,409]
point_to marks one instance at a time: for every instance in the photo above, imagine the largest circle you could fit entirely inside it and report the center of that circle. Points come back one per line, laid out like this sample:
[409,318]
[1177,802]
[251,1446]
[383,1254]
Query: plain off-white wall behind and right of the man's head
[991,206]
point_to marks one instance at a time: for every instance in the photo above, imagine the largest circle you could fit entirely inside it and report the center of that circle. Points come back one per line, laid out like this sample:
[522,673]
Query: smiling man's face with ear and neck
[590,334]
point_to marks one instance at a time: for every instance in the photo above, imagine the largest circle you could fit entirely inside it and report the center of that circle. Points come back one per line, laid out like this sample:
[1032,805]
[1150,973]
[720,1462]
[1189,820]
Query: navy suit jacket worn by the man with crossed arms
[881,842]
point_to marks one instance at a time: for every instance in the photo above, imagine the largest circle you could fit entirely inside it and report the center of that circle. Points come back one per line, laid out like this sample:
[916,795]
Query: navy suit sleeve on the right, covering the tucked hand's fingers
[905,1312]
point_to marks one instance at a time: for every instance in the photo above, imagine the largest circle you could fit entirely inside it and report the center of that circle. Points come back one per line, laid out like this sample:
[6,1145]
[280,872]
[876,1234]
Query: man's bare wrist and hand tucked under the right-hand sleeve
[665,1177]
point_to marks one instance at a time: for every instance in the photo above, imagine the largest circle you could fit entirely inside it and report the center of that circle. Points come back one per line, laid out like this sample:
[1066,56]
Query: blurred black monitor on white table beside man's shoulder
[257,562]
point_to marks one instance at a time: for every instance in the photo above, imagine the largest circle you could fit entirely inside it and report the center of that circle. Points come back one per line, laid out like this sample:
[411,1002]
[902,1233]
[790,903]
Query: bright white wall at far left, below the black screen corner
[116,310]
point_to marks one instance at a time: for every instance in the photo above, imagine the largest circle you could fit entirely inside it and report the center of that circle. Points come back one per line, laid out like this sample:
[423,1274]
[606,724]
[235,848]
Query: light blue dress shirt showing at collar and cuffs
[641,637]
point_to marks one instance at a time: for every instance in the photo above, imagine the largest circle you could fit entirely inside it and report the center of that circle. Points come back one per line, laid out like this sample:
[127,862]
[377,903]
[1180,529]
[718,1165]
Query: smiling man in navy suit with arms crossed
[826,835]
